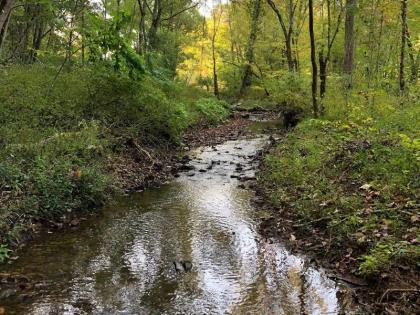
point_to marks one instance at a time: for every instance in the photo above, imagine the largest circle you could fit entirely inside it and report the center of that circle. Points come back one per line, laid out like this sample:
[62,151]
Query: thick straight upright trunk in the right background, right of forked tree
[349,38]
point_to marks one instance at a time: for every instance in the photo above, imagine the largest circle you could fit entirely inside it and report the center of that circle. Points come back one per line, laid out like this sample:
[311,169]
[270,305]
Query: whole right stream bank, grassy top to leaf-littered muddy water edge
[337,193]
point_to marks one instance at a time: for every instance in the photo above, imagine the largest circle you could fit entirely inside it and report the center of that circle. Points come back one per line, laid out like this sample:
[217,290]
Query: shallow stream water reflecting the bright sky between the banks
[121,262]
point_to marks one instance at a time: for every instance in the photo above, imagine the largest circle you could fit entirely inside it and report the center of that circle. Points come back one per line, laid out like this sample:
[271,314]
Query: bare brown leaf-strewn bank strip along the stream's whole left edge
[132,167]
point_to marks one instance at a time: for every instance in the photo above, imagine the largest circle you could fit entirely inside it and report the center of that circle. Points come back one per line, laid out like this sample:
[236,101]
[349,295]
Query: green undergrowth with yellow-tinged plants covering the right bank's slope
[354,176]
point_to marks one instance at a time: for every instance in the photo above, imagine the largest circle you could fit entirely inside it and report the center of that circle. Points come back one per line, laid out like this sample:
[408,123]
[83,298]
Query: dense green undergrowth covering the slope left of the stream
[56,132]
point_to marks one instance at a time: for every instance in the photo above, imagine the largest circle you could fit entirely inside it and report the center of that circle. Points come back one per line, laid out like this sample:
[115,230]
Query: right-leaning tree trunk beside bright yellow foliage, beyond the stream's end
[250,56]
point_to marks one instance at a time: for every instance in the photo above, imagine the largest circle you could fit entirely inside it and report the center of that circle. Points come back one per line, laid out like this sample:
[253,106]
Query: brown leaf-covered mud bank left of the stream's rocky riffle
[139,167]
